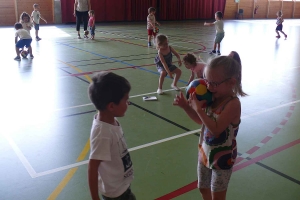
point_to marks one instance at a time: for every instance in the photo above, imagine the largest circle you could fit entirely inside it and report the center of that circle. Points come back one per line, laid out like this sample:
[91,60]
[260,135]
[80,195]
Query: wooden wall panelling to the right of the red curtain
[267,9]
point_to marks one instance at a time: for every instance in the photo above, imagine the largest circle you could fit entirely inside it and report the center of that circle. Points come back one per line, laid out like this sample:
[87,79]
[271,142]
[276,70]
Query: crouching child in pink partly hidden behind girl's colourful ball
[190,62]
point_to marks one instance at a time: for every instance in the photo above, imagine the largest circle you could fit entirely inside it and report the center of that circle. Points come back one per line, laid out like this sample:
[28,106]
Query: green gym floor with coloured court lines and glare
[46,114]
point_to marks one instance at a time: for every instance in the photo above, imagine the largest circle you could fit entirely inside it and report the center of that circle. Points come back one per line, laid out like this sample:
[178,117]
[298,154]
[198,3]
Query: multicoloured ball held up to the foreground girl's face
[200,88]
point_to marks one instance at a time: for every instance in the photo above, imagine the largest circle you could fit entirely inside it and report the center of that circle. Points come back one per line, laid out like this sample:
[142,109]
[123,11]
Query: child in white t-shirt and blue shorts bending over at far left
[25,40]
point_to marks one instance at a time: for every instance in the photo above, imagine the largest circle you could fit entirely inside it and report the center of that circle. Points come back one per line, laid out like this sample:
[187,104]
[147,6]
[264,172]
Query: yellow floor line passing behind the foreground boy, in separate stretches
[82,155]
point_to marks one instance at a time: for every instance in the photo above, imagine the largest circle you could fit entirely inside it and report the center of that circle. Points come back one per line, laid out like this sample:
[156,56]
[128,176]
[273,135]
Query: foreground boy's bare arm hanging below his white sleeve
[93,178]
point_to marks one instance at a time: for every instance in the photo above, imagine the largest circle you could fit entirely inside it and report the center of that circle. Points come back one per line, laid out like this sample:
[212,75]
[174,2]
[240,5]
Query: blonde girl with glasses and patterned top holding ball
[220,124]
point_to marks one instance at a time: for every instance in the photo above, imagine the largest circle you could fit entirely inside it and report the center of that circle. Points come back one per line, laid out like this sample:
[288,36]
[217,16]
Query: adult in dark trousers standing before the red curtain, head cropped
[81,9]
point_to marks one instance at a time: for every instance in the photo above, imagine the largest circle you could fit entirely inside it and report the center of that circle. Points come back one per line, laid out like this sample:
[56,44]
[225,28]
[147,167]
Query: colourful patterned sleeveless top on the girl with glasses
[218,152]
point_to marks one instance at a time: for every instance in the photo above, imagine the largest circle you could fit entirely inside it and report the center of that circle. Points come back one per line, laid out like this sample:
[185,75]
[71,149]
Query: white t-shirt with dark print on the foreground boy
[108,144]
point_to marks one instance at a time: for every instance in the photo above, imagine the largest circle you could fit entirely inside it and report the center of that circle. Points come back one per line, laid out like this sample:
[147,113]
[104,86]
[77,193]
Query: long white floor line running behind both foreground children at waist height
[157,142]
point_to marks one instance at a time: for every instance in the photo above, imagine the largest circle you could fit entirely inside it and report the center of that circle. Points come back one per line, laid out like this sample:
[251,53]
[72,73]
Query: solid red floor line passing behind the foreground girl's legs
[193,185]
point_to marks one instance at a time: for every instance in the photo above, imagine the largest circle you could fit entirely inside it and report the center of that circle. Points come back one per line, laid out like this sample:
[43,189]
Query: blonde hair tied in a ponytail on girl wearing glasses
[231,69]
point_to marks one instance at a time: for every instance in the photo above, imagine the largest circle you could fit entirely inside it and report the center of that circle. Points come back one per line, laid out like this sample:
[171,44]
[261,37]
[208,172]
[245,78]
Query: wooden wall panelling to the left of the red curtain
[10,10]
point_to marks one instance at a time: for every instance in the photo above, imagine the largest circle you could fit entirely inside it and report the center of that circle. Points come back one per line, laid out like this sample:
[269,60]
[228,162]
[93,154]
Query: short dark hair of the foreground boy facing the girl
[107,87]
